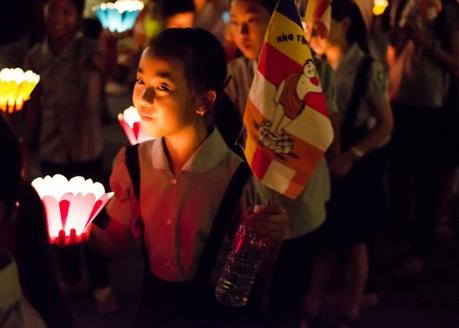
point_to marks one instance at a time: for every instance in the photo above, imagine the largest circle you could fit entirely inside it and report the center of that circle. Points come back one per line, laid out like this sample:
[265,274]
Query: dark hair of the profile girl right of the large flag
[357,32]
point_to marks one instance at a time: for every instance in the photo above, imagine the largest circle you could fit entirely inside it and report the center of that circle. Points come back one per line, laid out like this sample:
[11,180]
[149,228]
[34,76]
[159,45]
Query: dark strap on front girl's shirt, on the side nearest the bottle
[222,222]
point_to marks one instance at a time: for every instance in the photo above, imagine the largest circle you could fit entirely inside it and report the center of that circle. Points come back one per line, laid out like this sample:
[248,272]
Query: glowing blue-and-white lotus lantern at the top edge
[118,16]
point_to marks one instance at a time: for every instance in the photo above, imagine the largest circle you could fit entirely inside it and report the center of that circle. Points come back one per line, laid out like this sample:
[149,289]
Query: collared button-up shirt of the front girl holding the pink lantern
[177,210]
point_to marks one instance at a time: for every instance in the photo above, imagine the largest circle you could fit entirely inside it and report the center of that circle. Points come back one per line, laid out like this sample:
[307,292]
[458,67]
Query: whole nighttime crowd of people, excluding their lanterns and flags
[384,189]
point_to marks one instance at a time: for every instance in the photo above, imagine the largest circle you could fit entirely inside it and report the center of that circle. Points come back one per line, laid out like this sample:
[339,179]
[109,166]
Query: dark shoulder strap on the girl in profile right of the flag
[358,91]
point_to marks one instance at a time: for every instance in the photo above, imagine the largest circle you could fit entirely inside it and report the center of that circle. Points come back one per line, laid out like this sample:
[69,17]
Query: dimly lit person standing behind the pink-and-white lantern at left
[65,112]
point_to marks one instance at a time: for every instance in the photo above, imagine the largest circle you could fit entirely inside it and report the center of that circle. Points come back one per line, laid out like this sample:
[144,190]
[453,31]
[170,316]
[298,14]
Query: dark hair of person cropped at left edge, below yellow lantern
[10,164]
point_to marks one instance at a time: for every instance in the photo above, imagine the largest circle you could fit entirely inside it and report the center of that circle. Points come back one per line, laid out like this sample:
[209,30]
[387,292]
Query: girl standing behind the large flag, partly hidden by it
[248,24]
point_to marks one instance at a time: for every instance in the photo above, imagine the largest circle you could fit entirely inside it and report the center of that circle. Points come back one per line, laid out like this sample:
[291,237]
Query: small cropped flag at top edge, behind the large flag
[318,16]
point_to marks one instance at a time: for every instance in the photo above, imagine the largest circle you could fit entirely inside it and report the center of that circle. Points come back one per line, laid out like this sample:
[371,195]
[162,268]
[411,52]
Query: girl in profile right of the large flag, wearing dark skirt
[356,208]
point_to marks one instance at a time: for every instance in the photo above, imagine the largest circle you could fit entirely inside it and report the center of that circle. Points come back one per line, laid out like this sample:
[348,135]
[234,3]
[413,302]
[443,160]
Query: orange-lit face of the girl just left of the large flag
[248,22]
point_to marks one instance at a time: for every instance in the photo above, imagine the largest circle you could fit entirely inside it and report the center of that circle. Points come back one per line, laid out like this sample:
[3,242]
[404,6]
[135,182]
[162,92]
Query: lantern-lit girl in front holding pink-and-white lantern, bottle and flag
[180,194]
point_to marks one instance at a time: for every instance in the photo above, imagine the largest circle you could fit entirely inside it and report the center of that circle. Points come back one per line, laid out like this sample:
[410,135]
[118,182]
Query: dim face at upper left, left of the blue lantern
[61,19]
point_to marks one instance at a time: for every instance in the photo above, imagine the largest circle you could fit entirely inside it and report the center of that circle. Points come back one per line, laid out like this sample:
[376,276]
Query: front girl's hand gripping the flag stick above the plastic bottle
[269,221]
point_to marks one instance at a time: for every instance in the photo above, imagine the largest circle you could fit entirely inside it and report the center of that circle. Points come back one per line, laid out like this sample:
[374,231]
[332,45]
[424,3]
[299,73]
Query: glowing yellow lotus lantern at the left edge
[15,88]
